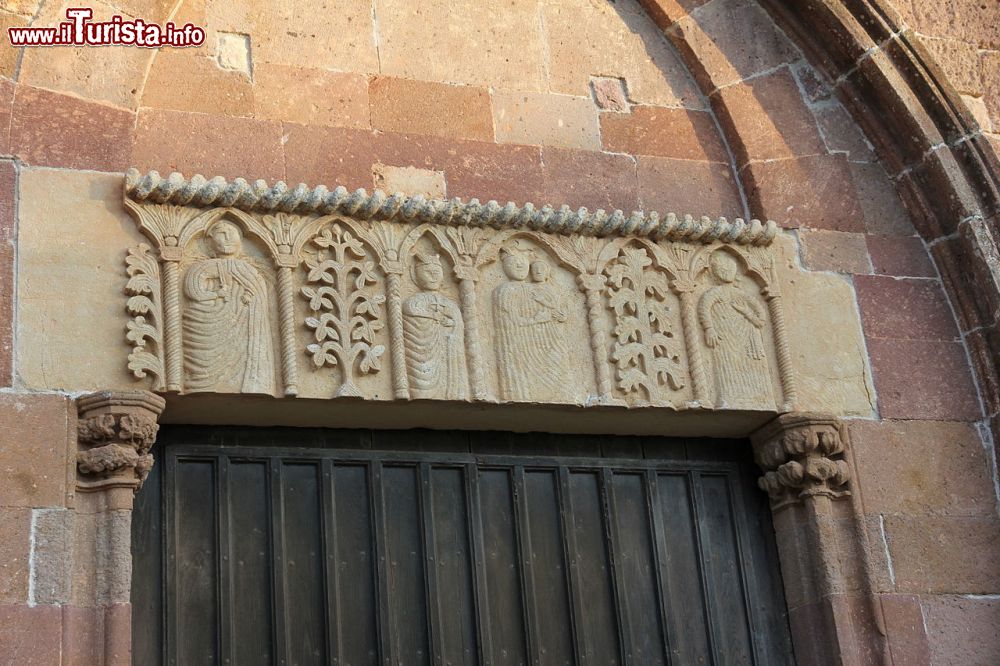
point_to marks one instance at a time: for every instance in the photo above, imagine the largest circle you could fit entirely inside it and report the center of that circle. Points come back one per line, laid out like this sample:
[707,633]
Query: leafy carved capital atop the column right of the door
[802,455]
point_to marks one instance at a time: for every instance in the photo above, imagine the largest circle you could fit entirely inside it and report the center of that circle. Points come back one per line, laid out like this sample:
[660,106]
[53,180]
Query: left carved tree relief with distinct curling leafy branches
[347,313]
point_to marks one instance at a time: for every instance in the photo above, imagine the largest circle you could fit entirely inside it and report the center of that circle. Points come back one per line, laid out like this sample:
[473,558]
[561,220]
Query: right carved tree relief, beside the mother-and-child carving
[647,351]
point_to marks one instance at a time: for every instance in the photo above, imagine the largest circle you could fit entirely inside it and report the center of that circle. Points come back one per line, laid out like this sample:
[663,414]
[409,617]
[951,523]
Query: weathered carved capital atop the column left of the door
[115,431]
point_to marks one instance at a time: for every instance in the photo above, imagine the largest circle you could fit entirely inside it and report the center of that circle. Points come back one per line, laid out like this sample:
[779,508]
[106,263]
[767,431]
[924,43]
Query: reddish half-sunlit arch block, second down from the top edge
[767,119]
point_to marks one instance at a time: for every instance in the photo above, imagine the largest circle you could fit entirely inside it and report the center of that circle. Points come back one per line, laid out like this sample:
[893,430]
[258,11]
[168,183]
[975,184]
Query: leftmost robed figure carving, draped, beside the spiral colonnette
[227,341]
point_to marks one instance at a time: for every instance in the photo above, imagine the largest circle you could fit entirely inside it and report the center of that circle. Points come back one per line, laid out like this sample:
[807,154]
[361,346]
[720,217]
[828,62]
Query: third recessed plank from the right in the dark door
[635,547]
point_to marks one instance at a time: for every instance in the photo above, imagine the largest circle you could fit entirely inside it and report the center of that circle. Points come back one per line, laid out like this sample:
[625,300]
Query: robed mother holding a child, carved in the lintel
[530,319]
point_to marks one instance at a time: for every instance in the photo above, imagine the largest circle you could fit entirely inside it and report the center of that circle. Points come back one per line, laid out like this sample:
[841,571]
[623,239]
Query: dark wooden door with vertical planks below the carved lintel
[416,547]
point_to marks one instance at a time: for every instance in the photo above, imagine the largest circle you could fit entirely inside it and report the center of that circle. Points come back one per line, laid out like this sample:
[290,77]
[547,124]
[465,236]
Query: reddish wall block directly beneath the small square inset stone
[653,130]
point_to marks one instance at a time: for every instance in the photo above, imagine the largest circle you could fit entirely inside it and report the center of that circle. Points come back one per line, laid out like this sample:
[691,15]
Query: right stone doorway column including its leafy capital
[834,612]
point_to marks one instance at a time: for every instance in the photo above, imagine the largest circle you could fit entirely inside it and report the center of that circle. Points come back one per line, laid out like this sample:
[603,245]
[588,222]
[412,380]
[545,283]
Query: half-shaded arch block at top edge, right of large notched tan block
[714,37]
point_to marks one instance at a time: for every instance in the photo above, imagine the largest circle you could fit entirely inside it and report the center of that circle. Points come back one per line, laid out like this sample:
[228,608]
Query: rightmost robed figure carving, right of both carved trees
[733,322]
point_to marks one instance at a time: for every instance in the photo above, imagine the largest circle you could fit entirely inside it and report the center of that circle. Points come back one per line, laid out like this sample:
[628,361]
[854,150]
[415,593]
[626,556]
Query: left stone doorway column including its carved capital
[115,431]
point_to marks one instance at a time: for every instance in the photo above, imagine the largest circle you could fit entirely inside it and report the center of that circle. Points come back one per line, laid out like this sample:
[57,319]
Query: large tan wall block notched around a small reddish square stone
[630,47]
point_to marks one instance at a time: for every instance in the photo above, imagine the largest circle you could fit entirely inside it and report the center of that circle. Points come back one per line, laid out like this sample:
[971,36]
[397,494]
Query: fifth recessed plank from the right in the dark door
[553,616]
